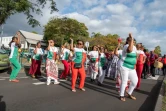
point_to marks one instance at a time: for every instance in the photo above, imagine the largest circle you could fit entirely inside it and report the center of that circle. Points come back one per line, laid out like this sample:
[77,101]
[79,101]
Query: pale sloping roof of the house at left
[29,35]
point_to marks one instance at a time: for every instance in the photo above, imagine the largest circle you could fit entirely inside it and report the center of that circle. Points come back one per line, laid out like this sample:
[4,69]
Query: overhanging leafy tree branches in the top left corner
[11,7]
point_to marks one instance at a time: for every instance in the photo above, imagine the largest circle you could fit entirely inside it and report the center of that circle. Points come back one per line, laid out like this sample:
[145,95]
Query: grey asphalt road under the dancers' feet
[34,95]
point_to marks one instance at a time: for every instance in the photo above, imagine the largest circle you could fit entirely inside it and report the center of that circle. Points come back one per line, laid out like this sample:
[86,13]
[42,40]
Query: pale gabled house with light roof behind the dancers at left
[29,39]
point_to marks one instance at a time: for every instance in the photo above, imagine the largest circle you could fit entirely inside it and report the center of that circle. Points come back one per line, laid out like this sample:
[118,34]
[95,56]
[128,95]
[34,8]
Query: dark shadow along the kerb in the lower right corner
[150,102]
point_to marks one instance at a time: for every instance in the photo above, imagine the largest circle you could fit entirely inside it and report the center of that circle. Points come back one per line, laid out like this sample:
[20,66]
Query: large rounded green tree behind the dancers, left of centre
[62,29]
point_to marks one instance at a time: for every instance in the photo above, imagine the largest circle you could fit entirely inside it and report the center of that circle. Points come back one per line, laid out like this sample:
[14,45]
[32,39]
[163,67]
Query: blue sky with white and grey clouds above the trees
[145,19]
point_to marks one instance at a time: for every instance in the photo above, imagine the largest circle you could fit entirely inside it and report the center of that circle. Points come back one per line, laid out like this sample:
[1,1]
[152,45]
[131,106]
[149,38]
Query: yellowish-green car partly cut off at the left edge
[4,60]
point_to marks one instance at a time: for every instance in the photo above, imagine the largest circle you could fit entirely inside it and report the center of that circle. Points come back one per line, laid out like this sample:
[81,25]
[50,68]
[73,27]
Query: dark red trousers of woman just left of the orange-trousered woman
[66,69]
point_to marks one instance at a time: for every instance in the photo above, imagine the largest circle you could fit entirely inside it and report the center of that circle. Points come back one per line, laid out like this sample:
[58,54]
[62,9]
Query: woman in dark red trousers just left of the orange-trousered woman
[65,52]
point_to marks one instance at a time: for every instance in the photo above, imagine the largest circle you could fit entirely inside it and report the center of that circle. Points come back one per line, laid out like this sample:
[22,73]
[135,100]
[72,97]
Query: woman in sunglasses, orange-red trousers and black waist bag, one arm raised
[77,64]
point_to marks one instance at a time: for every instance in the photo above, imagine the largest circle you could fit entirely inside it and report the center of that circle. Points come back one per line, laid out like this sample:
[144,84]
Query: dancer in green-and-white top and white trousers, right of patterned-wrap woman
[102,66]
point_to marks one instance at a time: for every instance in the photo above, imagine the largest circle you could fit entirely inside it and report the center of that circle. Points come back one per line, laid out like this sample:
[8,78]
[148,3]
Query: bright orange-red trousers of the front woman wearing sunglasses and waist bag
[75,73]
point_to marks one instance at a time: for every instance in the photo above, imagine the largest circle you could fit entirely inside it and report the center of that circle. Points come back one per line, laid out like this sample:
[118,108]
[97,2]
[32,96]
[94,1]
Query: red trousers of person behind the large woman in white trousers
[139,69]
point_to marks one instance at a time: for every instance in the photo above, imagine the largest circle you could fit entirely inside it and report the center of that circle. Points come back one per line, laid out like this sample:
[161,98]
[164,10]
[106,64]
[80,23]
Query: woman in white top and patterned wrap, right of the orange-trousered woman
[93,56]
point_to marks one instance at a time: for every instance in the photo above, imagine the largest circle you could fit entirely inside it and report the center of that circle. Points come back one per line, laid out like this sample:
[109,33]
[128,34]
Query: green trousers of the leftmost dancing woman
[16,67]
